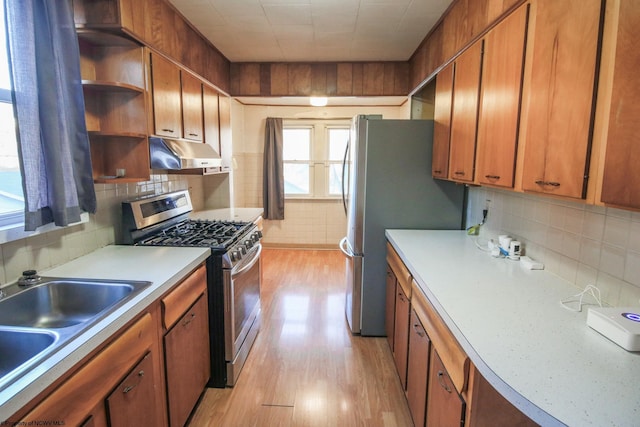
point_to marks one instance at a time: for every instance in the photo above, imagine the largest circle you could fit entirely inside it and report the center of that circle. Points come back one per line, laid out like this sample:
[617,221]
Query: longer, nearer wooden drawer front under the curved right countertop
[452,355]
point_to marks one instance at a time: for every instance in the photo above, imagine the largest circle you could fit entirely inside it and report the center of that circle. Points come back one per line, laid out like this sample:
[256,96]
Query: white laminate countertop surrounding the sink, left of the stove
[162,266]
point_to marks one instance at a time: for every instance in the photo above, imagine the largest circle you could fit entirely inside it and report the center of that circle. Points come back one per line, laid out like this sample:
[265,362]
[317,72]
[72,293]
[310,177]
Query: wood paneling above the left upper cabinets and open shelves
[158,25]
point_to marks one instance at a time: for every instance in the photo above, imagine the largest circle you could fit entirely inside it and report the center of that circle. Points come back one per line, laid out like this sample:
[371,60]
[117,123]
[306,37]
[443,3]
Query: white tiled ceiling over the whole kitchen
[322,30]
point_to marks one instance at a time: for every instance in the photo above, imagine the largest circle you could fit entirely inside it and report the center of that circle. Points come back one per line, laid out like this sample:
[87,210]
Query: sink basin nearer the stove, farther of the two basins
[61,303]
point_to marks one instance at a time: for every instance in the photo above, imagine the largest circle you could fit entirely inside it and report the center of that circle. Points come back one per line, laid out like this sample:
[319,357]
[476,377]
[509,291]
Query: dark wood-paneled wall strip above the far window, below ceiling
[320,78]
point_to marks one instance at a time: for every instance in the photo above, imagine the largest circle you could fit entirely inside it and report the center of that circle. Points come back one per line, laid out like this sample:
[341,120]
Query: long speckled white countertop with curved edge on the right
[539,355]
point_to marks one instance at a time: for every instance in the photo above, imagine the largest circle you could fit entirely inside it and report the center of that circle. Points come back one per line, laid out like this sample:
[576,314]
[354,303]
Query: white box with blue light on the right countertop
[620,324]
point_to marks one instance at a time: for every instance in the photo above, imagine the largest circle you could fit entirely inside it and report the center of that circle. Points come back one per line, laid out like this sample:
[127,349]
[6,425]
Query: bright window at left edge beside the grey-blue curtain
[11,195]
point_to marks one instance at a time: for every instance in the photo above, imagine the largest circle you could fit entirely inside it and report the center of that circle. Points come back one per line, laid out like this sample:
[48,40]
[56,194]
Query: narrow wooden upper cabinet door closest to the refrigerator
[442,122]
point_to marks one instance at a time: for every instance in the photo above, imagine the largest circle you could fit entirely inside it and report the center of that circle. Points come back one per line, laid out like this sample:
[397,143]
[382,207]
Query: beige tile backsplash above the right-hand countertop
[581,243]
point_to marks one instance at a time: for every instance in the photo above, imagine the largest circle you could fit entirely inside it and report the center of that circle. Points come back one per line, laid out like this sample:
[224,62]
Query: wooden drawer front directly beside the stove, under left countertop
[178,301]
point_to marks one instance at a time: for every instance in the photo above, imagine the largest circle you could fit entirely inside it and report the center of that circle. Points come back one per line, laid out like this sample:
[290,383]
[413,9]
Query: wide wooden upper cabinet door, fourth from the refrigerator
[558,99]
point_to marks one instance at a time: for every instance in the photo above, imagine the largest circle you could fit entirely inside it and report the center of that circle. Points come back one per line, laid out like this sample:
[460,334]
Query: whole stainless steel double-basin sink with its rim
[39,319]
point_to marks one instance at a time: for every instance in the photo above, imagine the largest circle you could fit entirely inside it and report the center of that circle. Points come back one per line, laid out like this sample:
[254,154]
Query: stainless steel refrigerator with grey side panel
[388,184]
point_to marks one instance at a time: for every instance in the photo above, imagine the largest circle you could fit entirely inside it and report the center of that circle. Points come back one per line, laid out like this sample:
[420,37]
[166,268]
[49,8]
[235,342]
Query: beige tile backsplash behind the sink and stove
[56,247]
